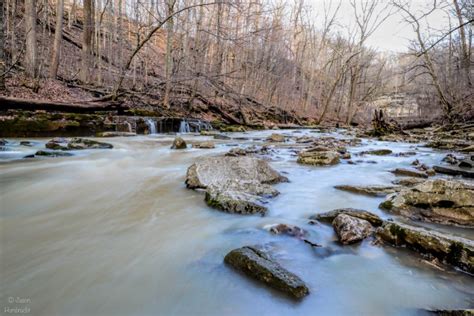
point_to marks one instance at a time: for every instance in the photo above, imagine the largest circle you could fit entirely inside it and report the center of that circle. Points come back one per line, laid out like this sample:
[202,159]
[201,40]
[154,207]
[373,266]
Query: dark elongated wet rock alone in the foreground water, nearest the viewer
[259,265]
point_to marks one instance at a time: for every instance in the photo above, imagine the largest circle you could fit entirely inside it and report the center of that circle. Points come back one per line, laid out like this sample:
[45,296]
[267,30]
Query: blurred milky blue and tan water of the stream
[115,232]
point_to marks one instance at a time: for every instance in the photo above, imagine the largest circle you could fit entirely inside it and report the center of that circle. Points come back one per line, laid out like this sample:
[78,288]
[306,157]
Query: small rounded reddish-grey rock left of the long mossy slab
[351,229]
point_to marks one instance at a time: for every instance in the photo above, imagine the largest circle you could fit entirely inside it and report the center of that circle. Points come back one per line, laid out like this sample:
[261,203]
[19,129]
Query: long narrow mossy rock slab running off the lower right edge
[453,250]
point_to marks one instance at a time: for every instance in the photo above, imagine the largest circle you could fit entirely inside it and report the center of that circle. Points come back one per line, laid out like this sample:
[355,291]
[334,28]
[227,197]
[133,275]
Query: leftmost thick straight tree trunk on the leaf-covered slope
[31,51]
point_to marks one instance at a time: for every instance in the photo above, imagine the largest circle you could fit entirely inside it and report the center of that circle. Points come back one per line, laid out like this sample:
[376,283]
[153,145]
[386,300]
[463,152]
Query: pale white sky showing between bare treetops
[394,34]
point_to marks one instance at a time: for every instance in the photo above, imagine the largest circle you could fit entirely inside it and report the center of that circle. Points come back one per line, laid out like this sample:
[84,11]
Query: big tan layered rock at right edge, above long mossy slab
[439,201]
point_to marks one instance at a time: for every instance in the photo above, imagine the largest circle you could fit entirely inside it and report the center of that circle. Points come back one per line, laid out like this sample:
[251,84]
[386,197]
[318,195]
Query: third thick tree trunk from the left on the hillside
[86,42]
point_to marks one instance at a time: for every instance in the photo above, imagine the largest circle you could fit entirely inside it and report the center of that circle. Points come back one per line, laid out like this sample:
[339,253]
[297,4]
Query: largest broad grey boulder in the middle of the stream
[234,184]
